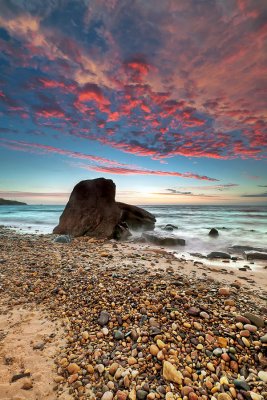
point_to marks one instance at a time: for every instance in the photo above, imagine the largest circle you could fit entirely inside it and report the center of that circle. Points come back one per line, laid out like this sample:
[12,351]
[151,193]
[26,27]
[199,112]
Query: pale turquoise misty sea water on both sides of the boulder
[237,225]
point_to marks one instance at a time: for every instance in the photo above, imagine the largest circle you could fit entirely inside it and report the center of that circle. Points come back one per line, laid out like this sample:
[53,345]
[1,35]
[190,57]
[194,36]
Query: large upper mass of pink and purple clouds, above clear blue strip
[149,78]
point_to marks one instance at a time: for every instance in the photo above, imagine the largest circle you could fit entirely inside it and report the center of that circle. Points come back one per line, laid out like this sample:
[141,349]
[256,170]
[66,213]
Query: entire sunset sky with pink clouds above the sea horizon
[166,98]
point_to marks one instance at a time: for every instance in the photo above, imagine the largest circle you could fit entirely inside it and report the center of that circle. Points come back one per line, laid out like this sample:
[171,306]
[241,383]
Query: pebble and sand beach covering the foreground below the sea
[96,319]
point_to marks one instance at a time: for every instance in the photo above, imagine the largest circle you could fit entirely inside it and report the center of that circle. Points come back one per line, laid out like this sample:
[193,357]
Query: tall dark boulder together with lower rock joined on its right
[93,211]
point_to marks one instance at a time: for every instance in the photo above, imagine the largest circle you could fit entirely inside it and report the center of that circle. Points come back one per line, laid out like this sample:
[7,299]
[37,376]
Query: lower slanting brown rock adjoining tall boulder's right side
[136,218]
